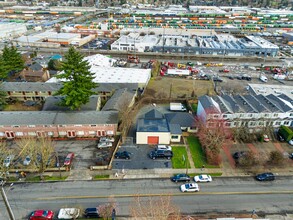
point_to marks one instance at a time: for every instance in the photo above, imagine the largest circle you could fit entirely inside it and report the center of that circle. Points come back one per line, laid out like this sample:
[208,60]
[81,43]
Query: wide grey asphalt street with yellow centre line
[241,195]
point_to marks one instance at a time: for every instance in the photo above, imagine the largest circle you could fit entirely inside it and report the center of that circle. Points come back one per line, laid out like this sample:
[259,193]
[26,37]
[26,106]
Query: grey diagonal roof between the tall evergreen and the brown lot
[120,100]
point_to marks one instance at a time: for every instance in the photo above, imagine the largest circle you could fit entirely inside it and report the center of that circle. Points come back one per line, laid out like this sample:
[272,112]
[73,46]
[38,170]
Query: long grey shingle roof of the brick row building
[51,117]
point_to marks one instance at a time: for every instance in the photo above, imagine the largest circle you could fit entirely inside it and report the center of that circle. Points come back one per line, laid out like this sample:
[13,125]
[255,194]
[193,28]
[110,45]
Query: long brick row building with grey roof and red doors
[58,124]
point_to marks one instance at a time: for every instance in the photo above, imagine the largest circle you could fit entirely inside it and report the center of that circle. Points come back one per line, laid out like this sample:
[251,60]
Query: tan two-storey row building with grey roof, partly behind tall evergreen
[39,91]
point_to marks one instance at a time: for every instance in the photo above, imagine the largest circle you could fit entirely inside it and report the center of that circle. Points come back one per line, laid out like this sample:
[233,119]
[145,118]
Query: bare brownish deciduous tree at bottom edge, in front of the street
[154,208]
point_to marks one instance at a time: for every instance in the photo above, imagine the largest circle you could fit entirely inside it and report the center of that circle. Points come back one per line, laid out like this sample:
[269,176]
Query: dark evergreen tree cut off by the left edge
[10,61]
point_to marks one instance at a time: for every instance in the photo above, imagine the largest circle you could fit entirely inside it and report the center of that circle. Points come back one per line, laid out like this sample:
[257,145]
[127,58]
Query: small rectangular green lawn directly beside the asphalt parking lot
[177,159]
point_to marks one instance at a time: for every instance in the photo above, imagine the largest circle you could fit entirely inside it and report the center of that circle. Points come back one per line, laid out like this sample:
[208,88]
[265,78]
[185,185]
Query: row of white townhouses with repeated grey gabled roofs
[252,111]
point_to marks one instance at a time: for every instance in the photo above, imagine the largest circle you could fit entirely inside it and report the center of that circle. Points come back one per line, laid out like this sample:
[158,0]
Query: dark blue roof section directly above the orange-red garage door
[152,125]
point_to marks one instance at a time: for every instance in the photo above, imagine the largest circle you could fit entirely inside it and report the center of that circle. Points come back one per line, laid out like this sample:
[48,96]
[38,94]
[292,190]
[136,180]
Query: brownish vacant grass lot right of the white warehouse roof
[167,87]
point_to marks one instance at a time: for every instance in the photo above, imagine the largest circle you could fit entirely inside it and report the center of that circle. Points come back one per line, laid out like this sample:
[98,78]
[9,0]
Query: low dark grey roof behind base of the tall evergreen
[52,104]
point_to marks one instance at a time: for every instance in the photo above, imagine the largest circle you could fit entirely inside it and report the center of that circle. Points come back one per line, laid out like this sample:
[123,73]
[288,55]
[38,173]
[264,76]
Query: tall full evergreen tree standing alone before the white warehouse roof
[78,80]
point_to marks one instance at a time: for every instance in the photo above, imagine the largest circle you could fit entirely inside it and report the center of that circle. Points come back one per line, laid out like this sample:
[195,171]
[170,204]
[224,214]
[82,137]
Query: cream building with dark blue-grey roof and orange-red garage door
[157,128]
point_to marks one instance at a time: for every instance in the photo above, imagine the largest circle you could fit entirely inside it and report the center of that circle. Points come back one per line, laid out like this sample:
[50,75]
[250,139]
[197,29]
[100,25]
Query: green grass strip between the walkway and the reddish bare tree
[197,153]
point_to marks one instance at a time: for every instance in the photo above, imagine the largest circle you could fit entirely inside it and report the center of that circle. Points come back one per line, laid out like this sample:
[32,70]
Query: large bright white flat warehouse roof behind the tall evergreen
[100,66]
